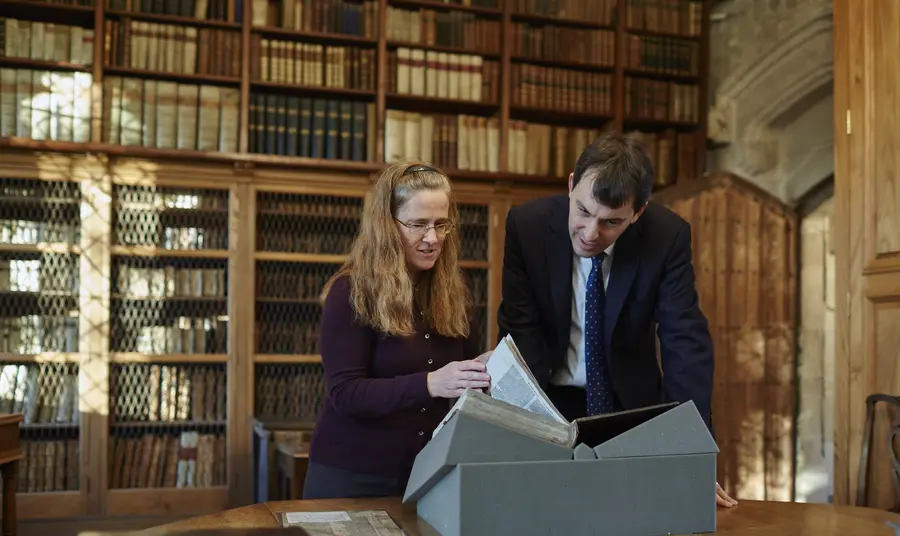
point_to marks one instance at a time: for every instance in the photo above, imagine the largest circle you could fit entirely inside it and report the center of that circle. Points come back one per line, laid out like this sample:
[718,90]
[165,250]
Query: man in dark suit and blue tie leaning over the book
[588,278]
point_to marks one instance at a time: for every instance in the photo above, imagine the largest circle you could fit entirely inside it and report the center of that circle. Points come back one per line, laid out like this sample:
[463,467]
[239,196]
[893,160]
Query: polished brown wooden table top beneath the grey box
[750,518]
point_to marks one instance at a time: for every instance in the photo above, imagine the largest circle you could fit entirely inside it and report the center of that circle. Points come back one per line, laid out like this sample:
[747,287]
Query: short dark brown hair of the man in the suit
[620,168]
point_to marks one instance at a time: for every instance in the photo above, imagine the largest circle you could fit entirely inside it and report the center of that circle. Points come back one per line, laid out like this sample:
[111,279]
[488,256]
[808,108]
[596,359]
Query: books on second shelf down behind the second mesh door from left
[170,282]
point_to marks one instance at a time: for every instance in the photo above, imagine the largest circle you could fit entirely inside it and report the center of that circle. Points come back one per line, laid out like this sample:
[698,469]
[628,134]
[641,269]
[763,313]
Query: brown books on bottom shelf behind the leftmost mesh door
[49,465]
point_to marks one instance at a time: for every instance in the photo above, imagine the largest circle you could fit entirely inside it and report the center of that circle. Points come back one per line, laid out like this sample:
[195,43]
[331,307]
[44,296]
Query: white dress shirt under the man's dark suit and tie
[573,373]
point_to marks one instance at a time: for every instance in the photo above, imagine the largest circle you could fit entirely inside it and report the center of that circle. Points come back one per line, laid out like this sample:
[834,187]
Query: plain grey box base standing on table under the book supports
[617,497]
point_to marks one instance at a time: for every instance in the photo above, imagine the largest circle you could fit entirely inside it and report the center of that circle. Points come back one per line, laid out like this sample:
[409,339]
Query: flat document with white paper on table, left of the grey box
[349,523]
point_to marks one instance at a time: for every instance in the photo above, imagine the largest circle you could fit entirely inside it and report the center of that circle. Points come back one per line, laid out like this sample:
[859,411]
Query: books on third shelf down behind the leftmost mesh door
[54,330]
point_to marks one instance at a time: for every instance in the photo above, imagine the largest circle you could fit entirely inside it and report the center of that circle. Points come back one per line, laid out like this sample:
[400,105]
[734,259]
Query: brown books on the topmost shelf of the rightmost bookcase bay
[681,17]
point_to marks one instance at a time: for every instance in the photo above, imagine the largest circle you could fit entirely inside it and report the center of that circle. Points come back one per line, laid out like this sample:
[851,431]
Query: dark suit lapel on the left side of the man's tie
[558,250]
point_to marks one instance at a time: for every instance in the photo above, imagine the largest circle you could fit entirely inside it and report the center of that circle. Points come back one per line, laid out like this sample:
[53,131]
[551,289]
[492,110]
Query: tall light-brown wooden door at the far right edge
[867,225]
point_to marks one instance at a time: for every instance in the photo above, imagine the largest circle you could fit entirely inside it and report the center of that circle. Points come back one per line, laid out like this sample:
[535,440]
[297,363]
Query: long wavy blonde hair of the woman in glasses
[381,289]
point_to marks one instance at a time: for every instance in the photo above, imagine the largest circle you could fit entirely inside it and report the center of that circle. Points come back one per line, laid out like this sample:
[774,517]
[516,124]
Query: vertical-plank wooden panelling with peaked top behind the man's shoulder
[744,259]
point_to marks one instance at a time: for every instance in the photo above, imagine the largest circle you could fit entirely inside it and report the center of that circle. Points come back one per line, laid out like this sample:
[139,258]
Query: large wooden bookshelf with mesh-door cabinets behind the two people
[214,157]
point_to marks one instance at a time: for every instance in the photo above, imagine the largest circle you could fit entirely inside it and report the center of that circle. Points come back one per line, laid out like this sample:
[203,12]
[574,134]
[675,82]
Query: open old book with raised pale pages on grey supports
[517,402]
